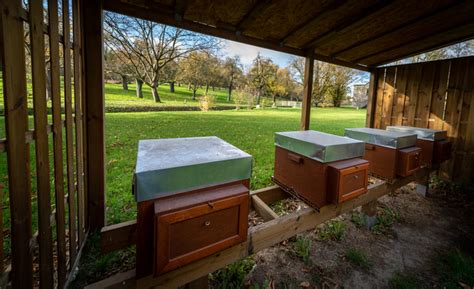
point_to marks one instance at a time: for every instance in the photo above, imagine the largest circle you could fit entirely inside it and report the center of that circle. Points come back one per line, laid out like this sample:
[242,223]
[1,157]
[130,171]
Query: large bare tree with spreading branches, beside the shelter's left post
[150,46]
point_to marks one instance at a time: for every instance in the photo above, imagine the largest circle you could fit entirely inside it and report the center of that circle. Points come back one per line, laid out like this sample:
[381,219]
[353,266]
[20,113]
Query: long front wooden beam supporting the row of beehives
[259,238]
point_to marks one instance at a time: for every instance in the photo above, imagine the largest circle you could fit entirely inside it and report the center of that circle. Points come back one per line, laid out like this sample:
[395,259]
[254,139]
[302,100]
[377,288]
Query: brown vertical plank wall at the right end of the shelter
[437,94]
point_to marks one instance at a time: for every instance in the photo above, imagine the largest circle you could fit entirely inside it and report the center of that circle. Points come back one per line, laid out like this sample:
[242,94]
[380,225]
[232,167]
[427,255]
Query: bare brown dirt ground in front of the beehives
[425,227]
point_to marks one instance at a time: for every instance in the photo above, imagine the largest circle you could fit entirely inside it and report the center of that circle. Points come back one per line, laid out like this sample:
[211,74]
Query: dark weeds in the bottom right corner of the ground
[456,268]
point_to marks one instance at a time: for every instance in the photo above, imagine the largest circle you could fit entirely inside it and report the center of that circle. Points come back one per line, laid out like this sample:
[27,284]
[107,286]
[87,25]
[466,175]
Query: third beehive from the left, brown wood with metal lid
[390,153]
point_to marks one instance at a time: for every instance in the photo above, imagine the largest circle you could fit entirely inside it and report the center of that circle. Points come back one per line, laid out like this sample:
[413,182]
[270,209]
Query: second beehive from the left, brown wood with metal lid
[320,168]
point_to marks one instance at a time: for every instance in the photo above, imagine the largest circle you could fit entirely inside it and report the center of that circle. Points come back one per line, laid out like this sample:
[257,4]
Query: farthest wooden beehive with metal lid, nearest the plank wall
[434,144]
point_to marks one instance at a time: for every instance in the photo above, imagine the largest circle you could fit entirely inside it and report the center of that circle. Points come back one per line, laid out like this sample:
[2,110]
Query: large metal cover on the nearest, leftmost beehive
[167,166]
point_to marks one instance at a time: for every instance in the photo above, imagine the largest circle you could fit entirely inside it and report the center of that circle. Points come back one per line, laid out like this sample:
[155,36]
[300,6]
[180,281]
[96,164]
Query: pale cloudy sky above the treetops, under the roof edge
[247,53]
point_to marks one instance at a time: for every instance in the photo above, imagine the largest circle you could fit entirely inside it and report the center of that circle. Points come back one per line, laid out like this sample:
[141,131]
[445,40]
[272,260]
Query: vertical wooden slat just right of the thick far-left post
[41,145]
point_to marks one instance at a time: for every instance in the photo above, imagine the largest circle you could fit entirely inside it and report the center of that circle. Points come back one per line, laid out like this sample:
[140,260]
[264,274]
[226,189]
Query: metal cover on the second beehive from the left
[320,146]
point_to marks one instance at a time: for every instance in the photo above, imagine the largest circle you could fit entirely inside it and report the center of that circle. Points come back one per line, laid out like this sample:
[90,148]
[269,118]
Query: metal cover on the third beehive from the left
[391,139]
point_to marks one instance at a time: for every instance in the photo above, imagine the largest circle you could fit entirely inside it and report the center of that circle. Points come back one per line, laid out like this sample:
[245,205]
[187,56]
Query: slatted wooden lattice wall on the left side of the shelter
[42,255]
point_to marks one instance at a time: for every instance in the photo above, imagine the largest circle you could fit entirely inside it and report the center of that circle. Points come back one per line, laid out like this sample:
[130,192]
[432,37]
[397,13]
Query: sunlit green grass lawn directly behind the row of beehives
[251,131]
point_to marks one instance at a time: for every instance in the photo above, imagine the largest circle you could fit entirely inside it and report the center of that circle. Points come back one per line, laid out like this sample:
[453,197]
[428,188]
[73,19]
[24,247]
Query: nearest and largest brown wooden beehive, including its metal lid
[193,200]
